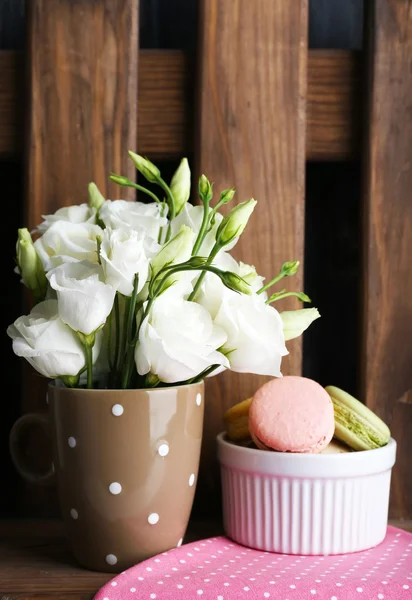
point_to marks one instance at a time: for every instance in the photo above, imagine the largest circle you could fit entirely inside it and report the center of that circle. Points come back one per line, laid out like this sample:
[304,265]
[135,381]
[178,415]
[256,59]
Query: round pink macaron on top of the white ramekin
[292,414]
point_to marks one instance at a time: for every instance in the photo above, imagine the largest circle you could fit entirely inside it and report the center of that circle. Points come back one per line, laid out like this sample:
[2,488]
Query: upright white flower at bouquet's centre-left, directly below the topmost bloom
[123,255]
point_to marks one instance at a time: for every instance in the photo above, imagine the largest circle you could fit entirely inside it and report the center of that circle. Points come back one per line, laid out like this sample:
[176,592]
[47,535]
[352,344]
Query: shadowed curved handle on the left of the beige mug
[22,425]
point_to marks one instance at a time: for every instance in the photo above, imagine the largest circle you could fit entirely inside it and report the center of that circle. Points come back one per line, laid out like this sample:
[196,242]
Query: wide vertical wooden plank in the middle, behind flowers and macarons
[251,135]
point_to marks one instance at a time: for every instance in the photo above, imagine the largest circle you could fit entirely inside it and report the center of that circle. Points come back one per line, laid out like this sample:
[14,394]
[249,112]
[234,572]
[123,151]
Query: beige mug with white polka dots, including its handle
[126,464]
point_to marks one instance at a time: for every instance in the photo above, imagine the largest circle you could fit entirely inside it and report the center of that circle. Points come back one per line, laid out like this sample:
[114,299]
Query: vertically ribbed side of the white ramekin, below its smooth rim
[305,516]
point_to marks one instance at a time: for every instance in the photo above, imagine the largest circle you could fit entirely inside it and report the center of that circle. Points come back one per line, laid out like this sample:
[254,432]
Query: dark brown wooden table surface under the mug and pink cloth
[36,565]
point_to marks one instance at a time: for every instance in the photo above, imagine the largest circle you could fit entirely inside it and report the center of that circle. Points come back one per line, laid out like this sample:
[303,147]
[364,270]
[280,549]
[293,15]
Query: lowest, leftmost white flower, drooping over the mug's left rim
[49,345]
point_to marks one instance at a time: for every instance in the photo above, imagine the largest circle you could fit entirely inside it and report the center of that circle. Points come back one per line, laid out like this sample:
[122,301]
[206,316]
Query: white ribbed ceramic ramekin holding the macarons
[305,503]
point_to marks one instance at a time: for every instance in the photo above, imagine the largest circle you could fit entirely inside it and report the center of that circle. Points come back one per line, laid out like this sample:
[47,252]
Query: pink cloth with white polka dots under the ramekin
[218,569]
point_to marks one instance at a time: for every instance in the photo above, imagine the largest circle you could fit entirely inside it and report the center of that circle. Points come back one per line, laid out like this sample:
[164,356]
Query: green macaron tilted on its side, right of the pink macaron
[355,424]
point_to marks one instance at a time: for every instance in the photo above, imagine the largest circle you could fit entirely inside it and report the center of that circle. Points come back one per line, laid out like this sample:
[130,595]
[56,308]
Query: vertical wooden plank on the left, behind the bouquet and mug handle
[82,93]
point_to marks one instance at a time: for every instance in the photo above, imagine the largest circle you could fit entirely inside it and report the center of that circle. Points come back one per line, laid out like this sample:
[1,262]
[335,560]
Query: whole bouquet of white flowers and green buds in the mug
[135,295]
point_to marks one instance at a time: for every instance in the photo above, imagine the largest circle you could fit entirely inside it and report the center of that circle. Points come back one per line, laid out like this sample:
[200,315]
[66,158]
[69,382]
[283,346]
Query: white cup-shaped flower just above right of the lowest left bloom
[84,300]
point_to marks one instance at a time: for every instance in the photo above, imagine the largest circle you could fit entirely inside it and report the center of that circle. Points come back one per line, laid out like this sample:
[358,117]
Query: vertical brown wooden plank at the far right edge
[387,309]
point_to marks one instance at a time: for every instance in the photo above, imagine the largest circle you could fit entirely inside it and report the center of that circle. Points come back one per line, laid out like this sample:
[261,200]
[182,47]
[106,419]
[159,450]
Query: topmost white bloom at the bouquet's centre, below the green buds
[142,217]
